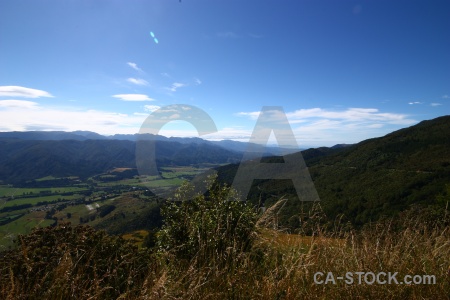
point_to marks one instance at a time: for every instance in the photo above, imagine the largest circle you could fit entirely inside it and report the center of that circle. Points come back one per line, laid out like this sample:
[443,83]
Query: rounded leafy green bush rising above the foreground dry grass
[213,227]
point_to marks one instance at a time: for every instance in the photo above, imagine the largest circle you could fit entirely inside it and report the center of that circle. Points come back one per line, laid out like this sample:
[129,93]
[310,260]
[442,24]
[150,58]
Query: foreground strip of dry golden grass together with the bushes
[207,251]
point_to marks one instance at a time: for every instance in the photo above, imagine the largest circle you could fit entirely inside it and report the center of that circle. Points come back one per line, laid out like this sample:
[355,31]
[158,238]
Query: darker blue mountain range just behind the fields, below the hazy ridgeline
[22,160]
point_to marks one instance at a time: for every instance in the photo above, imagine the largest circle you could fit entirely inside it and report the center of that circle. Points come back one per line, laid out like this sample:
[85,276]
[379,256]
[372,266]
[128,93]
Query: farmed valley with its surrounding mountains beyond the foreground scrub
[50,179]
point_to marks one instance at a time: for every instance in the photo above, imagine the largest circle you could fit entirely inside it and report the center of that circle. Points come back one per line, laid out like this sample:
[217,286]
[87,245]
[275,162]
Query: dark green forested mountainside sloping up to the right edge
[366,181]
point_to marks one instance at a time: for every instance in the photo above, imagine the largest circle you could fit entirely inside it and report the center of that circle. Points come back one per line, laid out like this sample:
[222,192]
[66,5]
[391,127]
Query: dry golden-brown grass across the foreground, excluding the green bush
[279,266]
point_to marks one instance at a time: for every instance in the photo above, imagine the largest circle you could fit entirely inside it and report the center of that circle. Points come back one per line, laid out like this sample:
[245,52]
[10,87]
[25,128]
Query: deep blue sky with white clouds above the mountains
[341,71]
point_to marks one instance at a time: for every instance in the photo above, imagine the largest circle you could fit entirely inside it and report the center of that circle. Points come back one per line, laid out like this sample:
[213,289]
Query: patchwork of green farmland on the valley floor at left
[78,201]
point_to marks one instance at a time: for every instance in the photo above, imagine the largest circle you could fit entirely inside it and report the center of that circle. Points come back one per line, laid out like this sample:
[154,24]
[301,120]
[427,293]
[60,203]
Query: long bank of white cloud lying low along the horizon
[311,127]
